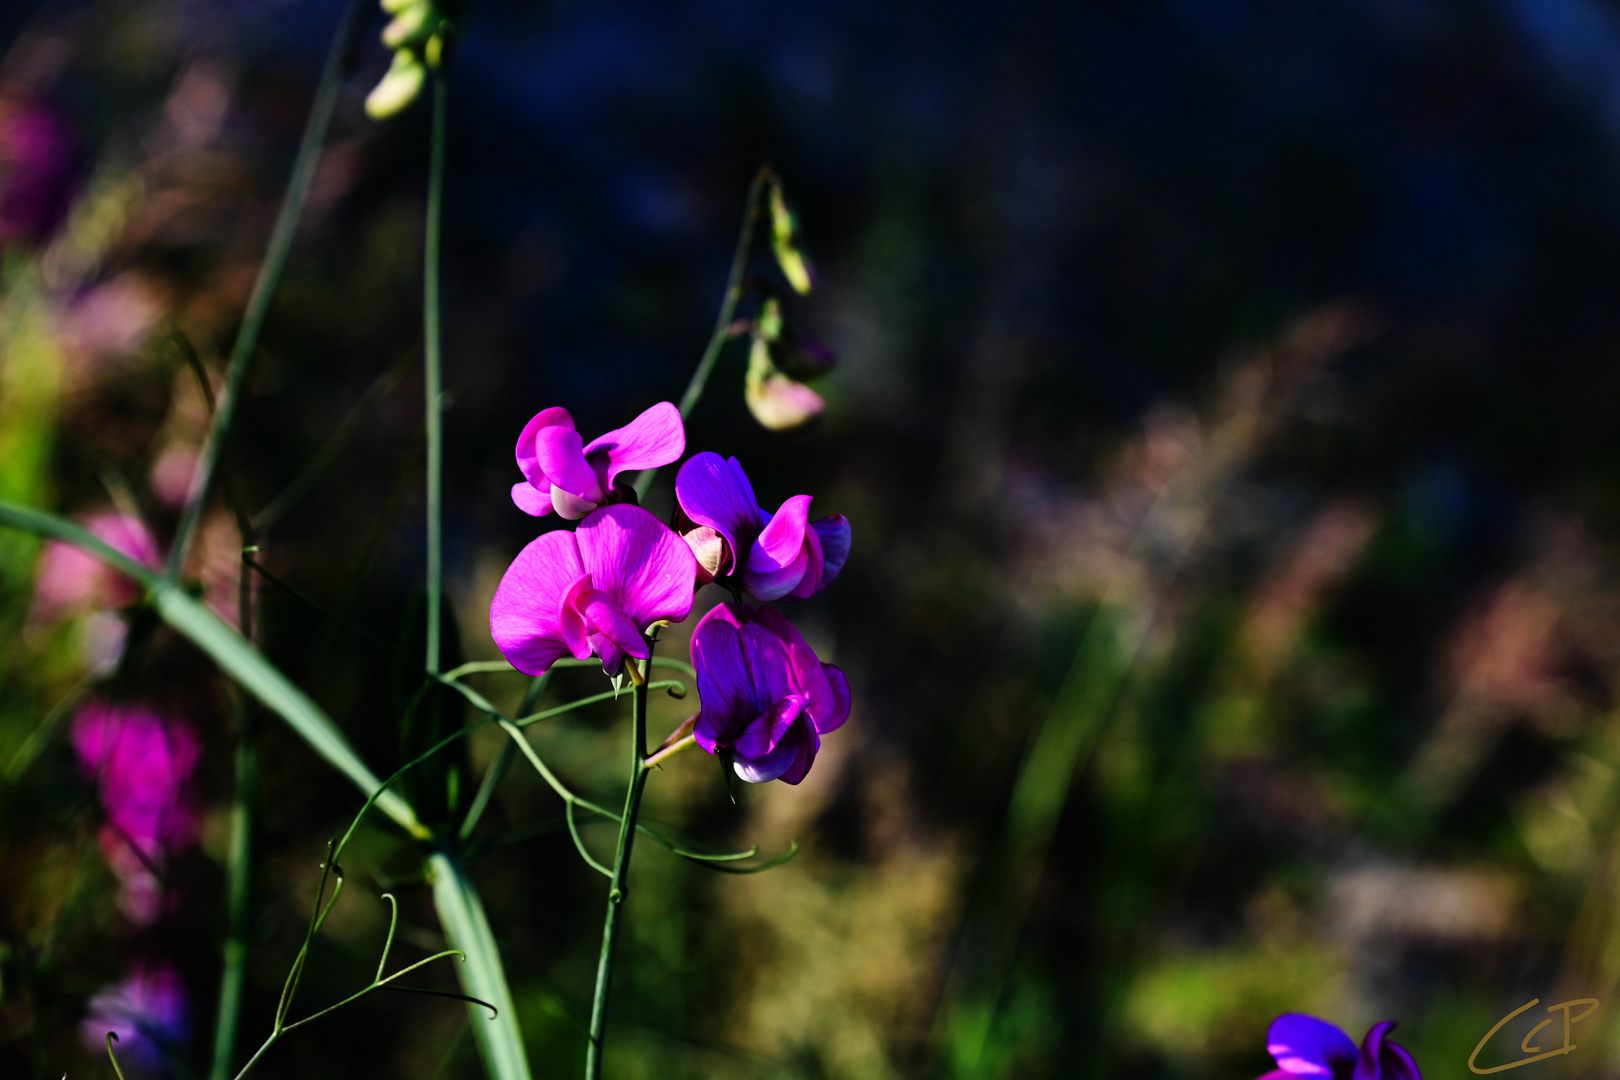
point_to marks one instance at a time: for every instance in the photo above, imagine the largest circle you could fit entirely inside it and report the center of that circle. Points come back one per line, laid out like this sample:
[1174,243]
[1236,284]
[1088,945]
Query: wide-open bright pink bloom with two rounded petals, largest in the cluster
[592,592]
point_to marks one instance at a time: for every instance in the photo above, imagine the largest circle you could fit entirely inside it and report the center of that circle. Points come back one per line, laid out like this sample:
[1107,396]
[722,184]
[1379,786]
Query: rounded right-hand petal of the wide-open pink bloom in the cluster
[639,563]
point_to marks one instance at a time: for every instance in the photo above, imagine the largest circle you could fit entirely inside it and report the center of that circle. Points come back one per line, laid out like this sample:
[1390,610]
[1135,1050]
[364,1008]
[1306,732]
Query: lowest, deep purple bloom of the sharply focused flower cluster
[765,697]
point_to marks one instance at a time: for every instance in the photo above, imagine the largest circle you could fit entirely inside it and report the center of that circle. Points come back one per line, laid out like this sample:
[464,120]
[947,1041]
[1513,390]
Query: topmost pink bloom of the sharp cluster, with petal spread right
[565,474]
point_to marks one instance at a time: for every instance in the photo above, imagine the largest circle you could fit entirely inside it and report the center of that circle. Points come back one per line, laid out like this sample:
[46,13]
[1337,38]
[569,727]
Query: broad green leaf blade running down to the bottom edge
[467,929]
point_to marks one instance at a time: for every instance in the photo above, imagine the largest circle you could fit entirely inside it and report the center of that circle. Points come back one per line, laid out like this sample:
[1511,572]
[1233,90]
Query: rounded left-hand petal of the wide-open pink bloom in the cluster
[524,614]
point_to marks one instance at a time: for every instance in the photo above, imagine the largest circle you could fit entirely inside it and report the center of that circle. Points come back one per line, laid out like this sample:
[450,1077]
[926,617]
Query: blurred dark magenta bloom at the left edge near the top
[36,171]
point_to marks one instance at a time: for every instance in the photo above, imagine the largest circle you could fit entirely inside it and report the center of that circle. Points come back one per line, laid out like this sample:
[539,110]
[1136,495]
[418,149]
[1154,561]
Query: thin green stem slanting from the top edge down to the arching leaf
[326,95]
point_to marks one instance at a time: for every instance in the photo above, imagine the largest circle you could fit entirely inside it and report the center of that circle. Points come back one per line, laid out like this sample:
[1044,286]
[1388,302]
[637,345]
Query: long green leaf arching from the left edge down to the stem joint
[228,648]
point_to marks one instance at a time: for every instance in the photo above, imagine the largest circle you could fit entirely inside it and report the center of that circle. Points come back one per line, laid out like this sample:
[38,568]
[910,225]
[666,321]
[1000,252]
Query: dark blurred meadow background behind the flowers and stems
[1227,422]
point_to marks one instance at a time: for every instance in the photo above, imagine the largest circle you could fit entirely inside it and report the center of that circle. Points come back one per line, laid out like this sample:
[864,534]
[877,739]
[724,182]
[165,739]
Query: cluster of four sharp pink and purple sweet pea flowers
[599,590]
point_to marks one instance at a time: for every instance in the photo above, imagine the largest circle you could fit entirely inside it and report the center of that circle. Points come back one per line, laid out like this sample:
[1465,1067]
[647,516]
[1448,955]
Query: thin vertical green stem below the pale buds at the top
[433,367]
